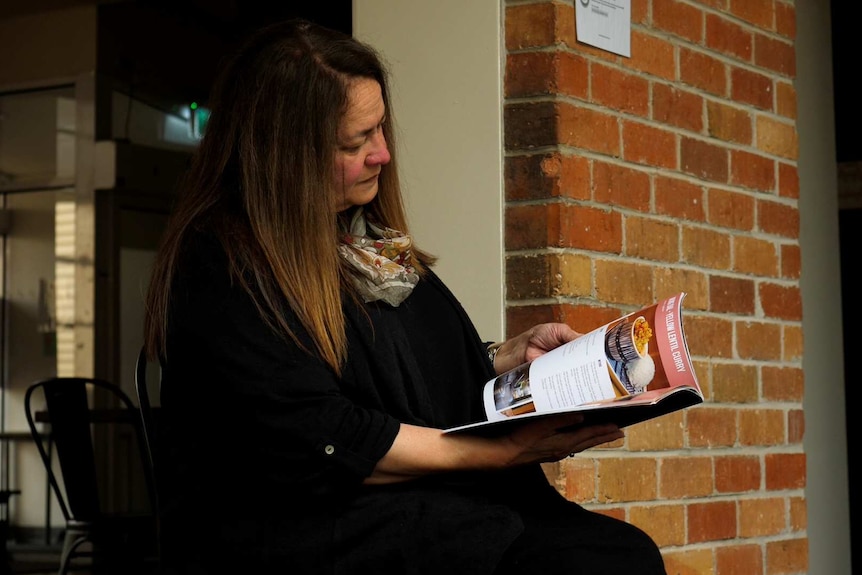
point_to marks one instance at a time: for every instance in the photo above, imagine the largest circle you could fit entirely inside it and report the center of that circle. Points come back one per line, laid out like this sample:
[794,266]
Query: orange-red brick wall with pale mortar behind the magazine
[628,179]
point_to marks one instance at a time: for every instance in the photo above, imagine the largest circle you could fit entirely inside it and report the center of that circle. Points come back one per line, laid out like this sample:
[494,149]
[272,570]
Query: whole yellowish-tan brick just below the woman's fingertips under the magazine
[627,479]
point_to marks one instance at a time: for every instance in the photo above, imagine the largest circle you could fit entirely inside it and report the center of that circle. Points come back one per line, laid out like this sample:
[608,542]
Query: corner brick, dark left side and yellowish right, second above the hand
[547,275]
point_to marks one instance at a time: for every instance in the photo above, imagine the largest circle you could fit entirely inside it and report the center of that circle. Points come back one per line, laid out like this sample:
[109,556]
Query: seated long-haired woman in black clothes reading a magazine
[311,356]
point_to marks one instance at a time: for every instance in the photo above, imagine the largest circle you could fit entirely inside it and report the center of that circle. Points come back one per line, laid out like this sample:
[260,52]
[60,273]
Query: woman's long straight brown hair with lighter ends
[261,181]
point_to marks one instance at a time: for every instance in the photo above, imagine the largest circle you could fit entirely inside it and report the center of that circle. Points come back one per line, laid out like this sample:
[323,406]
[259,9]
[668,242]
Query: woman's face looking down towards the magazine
[362,150]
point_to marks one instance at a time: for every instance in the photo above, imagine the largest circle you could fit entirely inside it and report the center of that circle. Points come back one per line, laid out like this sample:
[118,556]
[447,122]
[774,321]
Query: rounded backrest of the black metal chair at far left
[68,409]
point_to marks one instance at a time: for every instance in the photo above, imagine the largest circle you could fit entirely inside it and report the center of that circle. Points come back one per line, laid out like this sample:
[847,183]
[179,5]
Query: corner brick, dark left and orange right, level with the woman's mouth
[545,176]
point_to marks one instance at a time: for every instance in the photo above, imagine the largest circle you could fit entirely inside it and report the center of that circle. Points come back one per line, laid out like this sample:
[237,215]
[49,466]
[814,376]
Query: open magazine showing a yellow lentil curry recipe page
[632,369]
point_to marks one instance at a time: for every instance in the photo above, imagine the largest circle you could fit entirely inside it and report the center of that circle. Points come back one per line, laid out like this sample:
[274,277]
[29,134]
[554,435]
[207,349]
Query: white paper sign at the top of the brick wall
[605,24]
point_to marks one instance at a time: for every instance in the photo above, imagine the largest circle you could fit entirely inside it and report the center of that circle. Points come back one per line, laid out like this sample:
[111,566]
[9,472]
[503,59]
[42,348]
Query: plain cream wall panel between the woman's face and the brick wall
[444,56]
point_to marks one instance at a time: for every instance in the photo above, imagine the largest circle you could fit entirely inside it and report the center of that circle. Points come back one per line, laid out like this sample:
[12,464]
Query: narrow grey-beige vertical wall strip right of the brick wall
[825,430]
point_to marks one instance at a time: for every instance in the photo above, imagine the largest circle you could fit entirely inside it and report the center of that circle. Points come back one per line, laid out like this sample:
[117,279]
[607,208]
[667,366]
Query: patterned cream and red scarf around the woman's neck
[382,259]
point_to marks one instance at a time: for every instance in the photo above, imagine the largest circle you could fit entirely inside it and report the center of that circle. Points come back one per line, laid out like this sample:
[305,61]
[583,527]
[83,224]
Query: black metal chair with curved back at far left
[115,531]
